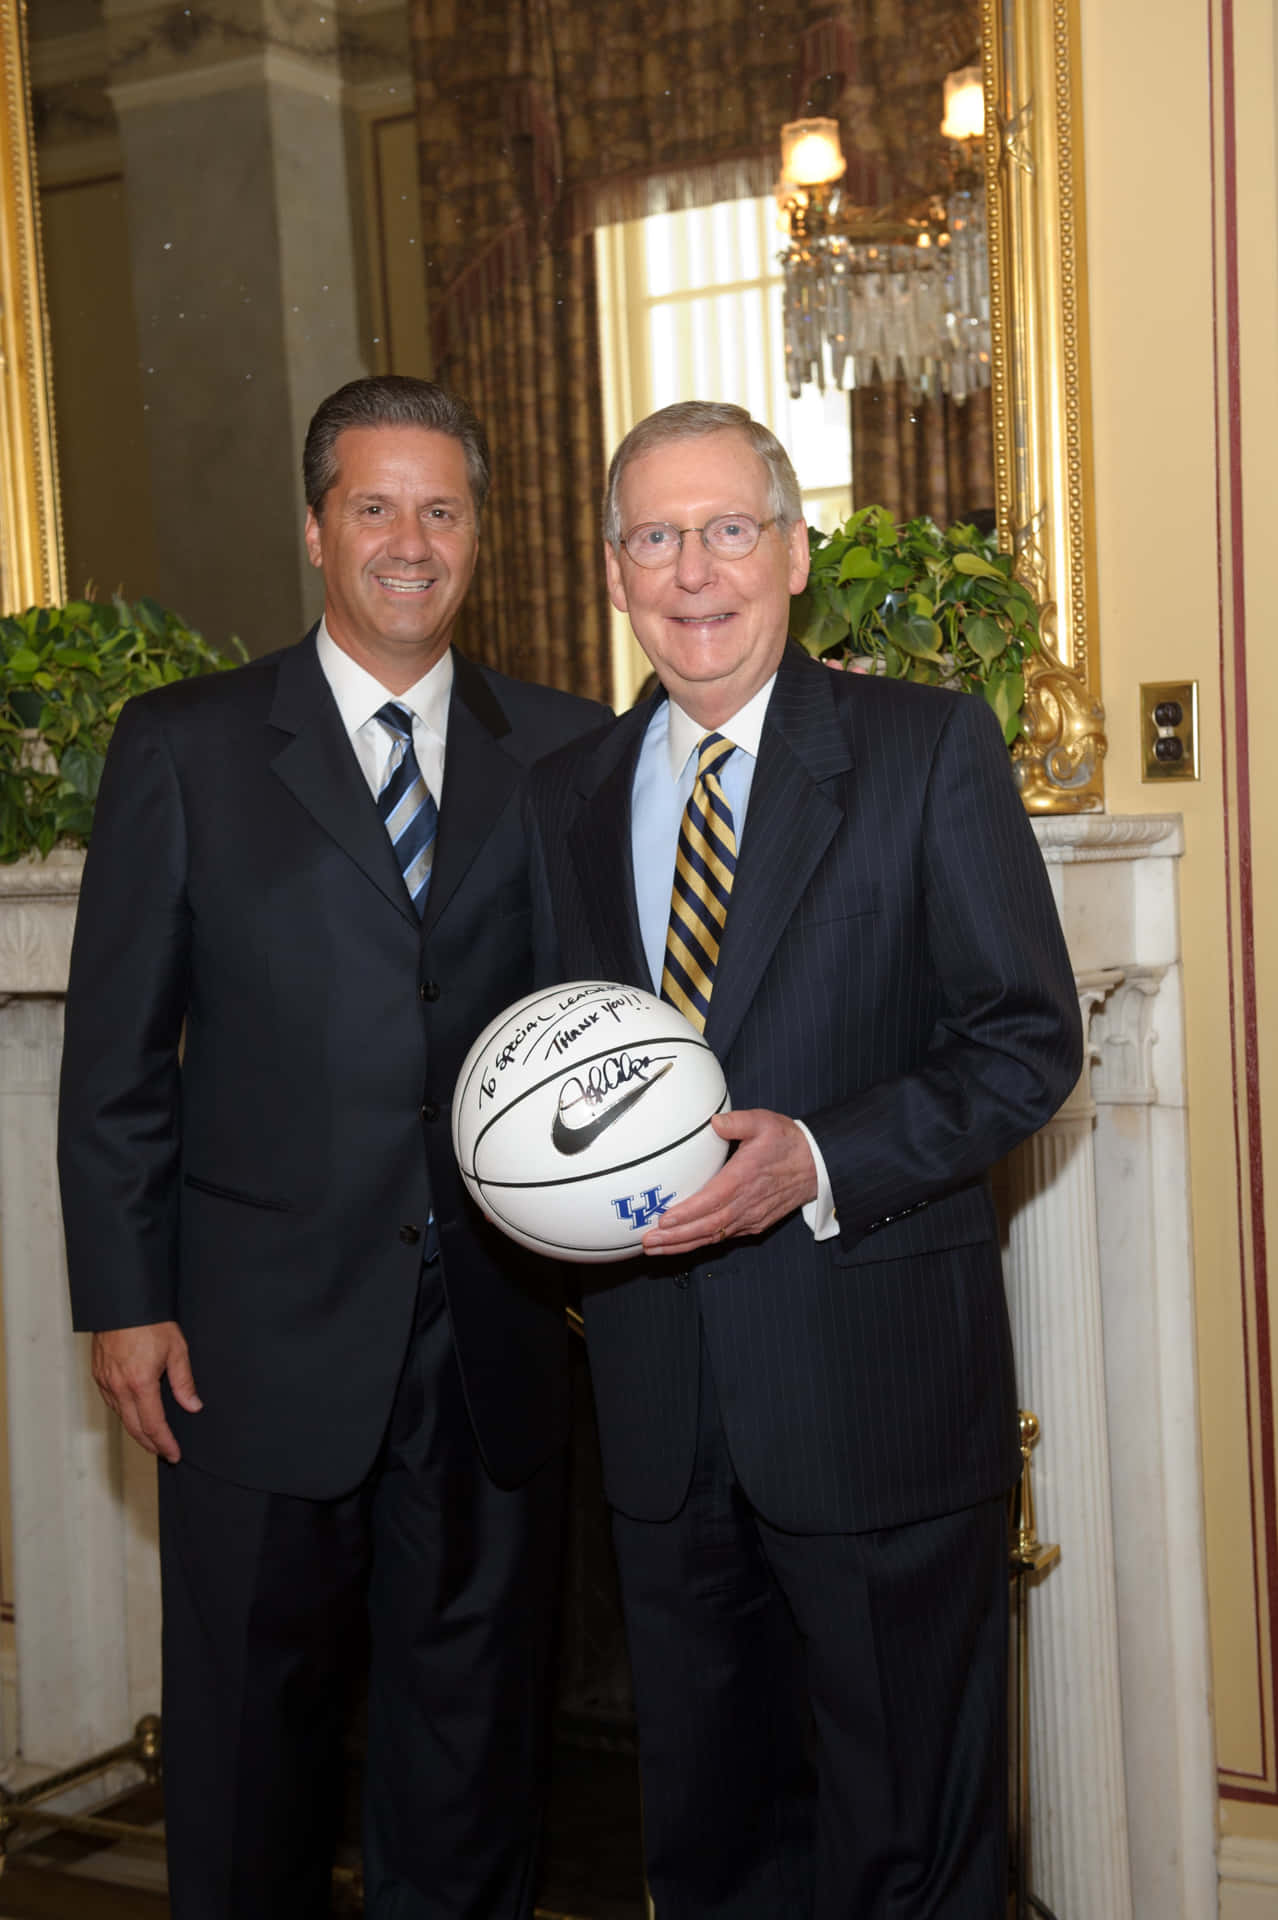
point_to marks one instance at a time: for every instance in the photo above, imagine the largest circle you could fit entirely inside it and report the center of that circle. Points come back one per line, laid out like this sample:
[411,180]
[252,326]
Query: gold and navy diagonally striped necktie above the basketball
[705,867]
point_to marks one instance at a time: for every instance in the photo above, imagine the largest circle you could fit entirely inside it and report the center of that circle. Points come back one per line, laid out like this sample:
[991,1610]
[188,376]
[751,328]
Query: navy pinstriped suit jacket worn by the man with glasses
[893,974]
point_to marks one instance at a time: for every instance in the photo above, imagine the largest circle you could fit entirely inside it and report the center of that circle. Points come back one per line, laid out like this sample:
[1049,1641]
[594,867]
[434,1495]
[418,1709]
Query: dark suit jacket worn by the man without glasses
[272,1191]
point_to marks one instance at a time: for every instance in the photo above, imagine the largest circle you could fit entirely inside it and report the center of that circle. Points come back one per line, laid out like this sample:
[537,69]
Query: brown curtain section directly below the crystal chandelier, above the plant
[924,456]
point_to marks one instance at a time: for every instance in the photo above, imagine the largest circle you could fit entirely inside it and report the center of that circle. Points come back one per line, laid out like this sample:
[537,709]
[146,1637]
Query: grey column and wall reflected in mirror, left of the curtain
[231,222]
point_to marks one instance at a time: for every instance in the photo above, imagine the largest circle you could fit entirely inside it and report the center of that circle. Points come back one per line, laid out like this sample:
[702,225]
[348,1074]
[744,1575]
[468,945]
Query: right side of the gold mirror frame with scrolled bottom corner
[1043,456]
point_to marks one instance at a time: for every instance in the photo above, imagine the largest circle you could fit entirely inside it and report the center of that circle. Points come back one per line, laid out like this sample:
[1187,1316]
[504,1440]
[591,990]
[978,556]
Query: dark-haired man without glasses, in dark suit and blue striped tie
[306,894]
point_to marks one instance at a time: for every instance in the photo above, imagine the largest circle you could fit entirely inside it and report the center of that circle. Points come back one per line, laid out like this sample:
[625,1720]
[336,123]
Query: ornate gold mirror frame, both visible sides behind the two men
[1039,377]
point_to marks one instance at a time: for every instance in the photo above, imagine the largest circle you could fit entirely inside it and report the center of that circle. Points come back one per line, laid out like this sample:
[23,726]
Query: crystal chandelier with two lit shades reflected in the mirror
[887,293]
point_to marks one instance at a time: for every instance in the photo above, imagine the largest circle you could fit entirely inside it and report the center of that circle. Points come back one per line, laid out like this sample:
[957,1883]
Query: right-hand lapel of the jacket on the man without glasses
[479,780]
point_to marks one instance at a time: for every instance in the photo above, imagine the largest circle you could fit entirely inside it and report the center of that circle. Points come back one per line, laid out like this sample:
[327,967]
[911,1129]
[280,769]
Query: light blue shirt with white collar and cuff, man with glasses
[665,777]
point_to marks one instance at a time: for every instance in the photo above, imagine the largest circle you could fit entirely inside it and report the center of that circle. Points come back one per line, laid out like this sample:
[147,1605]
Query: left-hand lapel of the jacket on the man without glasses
[319,769]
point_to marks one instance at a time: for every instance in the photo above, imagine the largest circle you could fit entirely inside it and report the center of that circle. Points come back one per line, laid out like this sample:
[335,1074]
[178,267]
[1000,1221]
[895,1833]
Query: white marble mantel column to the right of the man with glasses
[1102,1299]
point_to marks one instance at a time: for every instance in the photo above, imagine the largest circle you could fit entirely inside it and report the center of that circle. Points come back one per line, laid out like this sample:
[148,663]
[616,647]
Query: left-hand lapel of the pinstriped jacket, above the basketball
[602,852]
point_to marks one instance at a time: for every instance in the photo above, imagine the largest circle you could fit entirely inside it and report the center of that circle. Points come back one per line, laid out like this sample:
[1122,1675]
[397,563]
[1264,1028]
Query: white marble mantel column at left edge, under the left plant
[83,1579]
